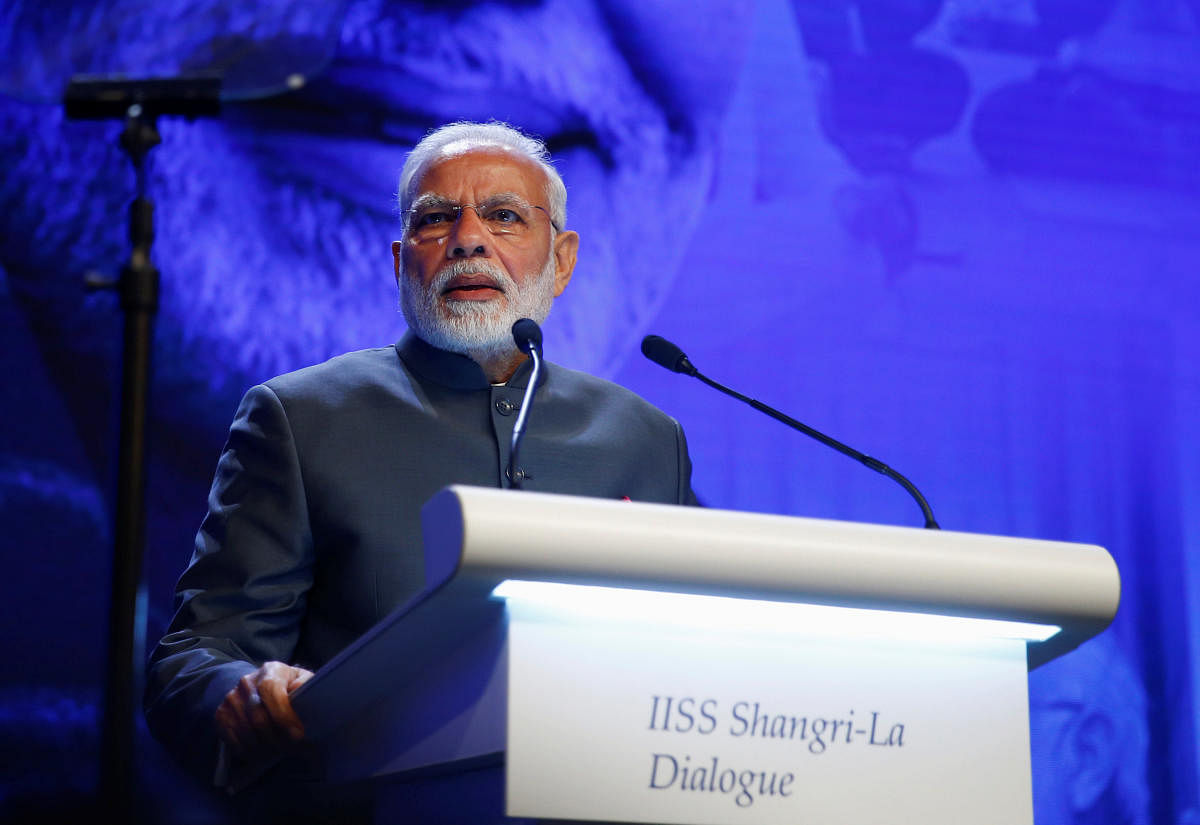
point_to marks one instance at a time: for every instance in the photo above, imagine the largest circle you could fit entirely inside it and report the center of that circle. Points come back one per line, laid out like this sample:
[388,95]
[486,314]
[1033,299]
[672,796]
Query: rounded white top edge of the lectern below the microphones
[489,535]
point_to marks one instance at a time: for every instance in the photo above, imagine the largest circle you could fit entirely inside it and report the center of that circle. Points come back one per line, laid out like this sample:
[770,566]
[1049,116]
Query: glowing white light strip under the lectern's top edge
[574,603]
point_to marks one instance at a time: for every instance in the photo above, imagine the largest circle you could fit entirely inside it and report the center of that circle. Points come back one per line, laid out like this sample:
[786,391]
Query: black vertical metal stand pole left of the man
[139,288]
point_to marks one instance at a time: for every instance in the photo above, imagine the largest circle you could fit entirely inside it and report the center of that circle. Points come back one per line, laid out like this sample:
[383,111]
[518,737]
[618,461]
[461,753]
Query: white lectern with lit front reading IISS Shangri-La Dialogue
[633,663]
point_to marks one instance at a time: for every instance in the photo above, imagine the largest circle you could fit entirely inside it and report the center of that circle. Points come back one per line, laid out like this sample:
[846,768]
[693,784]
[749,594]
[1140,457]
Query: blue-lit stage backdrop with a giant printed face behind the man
[962,237]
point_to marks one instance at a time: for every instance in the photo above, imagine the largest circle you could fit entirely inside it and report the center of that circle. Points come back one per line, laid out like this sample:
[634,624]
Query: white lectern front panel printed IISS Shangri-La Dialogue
[625,721]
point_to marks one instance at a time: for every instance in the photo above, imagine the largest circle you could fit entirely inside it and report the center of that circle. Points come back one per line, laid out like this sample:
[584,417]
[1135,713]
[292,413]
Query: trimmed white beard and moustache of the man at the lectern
[481,330]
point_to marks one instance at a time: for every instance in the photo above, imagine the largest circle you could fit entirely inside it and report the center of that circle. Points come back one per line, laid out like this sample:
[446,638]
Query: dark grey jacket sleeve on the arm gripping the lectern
[242,600]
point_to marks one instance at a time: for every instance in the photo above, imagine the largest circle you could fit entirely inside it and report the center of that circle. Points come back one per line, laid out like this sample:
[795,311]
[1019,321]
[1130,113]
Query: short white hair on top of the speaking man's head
[464,137]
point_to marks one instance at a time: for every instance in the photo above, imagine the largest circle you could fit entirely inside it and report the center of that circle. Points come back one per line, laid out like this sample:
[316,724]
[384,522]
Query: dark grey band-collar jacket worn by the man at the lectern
[314,527]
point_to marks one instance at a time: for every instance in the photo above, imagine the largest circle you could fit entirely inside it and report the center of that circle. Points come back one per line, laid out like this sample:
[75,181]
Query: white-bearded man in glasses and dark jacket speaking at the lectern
[313,533]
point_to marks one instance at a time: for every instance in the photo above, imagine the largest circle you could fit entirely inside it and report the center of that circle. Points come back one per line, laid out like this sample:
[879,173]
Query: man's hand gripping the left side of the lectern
[256,716]
